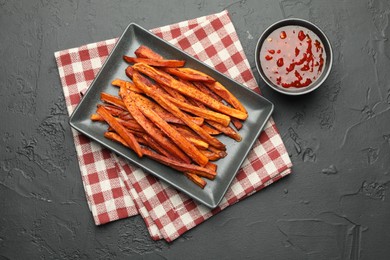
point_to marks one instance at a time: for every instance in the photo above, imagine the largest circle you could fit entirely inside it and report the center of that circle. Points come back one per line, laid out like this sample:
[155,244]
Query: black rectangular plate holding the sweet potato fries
[259,110]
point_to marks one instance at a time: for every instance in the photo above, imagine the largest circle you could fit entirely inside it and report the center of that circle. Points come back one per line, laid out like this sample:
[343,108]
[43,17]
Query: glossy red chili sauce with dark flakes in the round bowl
[292,56]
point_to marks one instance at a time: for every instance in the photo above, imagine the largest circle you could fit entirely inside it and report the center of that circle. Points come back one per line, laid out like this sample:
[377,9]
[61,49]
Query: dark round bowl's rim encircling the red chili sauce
[309,25]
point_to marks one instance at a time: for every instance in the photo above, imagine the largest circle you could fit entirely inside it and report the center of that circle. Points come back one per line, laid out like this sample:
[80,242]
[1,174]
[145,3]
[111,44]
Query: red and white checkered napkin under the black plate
[116,189]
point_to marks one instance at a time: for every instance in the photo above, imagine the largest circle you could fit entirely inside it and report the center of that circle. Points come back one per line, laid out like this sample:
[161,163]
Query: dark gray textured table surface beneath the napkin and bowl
[335,205]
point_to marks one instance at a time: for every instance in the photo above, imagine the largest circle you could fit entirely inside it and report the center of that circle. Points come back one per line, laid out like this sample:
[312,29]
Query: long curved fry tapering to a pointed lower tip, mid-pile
[150,128]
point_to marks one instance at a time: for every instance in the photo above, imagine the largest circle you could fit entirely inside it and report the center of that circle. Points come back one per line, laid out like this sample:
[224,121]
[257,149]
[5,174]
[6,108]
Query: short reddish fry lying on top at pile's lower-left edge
[121,130]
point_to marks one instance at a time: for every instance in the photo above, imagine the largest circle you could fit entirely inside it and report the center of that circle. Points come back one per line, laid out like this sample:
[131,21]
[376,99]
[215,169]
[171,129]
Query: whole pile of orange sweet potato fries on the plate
[172,114]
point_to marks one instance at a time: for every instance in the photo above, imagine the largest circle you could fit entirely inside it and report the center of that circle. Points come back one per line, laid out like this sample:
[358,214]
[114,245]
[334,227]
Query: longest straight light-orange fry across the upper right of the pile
[167,80]
